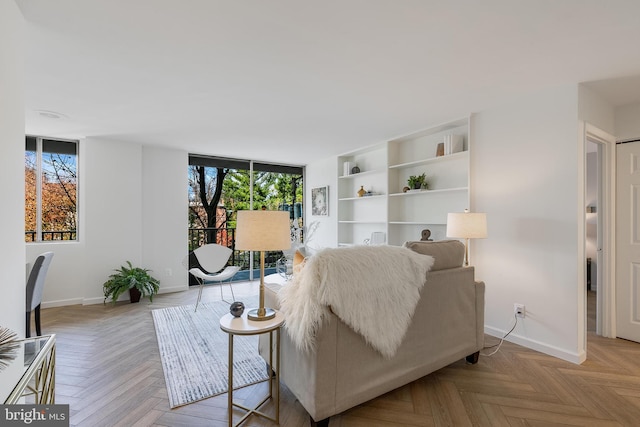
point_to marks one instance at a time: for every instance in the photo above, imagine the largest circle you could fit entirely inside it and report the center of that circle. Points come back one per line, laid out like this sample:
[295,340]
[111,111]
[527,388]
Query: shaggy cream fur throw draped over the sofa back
[373,289]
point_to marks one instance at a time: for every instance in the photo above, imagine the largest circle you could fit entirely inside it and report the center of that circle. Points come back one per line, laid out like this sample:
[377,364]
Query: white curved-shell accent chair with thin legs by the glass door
[213,258]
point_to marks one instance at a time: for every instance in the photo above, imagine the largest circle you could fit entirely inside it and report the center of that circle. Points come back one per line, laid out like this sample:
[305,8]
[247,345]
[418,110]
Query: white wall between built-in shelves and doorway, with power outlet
[526,175]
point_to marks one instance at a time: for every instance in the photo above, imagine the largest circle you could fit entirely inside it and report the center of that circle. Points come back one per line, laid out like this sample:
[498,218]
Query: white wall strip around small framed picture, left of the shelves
[318,174]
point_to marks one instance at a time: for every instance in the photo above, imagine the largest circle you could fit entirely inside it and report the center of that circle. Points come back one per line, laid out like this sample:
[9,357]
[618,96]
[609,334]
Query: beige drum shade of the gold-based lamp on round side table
[263,231]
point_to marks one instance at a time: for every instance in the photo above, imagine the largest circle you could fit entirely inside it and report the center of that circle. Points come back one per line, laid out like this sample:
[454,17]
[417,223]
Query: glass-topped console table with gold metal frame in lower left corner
[28,370]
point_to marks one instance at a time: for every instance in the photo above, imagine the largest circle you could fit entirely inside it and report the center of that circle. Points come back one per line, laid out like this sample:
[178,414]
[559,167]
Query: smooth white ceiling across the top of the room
[293,80]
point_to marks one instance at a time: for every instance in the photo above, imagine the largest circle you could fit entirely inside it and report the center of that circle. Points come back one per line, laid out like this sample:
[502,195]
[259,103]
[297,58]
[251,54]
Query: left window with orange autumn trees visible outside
[51,183]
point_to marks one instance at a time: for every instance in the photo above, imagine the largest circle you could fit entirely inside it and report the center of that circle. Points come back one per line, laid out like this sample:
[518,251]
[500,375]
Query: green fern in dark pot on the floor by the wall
[135,279]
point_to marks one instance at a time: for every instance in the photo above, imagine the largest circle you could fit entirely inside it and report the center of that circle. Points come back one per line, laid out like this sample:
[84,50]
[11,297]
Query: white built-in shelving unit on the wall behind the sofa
[384,171]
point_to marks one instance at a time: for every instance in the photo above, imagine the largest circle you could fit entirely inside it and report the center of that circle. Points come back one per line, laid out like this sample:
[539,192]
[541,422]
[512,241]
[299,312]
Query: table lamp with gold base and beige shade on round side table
[263,231]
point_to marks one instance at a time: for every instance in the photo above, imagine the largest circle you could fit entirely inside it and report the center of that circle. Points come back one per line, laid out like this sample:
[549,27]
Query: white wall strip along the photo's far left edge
[12,257]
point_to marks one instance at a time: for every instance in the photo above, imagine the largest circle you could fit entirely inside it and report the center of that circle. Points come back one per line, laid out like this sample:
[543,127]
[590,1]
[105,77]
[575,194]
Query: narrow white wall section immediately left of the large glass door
[165,216]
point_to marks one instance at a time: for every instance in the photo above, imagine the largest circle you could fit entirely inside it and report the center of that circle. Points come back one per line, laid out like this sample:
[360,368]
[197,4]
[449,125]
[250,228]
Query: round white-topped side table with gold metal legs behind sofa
[243,326]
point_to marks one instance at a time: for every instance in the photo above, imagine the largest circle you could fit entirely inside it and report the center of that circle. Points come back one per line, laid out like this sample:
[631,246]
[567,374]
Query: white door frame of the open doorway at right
[606,302]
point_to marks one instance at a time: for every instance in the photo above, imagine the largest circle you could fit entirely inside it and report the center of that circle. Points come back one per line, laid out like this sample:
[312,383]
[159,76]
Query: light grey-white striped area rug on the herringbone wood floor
[194,353]
